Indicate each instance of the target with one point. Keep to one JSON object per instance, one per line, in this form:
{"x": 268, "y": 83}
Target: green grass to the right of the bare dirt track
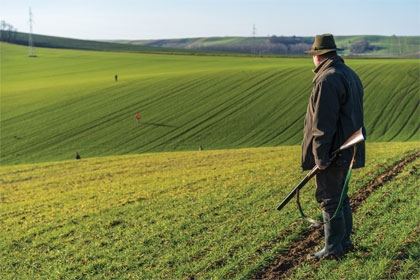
{"x": 386, "y": 235}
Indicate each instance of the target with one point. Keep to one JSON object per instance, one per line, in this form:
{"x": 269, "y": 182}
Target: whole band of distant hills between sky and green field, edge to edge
{"x": 357, "y": 45}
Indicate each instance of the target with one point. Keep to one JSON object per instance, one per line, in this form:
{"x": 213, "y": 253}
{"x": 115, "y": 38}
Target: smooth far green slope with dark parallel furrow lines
{"x": 65, "y": 101}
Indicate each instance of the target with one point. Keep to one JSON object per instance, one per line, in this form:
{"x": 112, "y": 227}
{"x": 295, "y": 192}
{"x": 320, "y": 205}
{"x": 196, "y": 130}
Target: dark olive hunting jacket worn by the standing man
{"x": 335, "y": 112}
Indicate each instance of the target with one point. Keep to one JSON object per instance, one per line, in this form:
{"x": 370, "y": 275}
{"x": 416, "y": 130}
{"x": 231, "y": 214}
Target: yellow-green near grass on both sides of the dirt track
{"x": 208, "y": 214}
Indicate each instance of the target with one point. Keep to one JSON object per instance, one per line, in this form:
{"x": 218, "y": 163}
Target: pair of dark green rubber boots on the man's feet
{"x": 333, "y": 233}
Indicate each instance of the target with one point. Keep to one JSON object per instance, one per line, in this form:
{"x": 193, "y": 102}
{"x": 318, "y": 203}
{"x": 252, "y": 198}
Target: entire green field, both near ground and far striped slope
{"x": 144, "y": 203}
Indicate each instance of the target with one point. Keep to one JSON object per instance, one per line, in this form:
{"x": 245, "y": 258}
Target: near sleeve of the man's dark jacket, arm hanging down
{"x": 326, "y": 104}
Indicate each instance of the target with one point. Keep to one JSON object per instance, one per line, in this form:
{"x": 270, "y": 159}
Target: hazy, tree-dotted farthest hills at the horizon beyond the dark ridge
{"x": 365, "y": 46}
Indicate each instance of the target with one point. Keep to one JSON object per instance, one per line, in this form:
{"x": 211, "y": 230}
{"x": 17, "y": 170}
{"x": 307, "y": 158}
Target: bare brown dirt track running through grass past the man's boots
{"x": 281, "y": 268}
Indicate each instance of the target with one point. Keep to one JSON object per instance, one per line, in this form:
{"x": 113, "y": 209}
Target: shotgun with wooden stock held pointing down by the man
{"x": 354, "y": 139}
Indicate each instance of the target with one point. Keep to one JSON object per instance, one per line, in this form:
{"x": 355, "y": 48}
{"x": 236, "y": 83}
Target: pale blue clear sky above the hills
{"x": 170, "y": 19}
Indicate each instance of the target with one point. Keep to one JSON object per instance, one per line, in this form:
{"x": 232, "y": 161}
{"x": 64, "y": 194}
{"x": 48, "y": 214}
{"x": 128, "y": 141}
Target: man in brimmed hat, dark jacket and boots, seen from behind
{"x": 335, "y": 111}
